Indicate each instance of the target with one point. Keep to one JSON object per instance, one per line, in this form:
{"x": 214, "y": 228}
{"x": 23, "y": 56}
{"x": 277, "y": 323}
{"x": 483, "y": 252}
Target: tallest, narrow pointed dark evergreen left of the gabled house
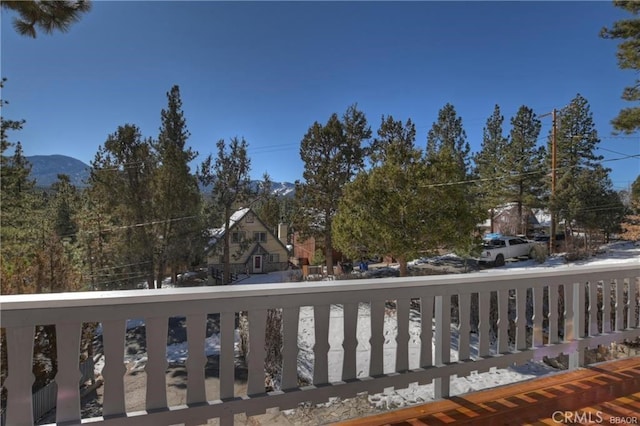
{"x": 178, "y": 228}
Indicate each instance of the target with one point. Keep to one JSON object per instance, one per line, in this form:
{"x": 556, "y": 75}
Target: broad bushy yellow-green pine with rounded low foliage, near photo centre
{"x": 384, "y": 210}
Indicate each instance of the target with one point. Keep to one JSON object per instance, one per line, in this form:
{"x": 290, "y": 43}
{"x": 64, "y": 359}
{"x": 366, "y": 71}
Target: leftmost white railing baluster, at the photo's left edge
{"x": 20, "y": 377}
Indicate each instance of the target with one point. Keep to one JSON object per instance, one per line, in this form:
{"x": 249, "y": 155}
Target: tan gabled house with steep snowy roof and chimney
{"x": 254, "y": 249}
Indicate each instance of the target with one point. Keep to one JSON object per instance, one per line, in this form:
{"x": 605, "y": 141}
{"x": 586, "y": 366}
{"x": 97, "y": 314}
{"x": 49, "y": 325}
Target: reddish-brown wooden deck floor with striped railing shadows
{"x": 605, "y": 393}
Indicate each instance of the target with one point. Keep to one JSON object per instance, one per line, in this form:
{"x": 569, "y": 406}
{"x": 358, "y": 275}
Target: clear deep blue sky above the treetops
{"x": 266, "y": 71}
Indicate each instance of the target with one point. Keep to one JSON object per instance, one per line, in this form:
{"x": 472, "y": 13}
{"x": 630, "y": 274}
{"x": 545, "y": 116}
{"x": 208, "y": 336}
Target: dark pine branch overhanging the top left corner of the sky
{"x": 46, "y": 16}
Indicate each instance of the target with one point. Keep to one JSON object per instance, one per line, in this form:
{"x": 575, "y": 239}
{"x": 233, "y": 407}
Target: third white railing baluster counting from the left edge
{"x": 114, "y": 368}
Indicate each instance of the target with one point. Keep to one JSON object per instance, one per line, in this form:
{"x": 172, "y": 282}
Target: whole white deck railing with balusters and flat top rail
{"x": 514, "y": 318}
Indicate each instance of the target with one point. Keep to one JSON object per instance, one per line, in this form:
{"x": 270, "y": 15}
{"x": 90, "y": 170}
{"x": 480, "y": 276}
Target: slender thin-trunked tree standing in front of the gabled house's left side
{"x": 228, "y": 176}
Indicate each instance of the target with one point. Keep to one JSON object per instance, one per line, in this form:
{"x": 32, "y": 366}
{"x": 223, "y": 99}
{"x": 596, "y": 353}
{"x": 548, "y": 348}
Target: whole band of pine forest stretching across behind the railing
{"x": 144, "y": 214}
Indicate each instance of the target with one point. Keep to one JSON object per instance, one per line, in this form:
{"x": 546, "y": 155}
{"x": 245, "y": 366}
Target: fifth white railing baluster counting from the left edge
{"x": 196, "y": 361}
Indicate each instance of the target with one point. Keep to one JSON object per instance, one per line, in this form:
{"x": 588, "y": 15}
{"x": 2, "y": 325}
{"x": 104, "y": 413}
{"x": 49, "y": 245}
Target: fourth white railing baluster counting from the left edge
{"x": 156, "y": 332}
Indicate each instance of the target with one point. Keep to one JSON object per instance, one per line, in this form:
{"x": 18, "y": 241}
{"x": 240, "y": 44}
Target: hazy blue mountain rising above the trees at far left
{"x": 46, "y": 168}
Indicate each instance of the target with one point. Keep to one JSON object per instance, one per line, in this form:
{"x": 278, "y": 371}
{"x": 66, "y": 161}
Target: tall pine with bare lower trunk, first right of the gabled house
{"x": 332, "y": 155}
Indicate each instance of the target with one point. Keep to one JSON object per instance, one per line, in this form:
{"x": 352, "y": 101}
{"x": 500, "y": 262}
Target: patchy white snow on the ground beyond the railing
{"x": 616, "y": 253}
